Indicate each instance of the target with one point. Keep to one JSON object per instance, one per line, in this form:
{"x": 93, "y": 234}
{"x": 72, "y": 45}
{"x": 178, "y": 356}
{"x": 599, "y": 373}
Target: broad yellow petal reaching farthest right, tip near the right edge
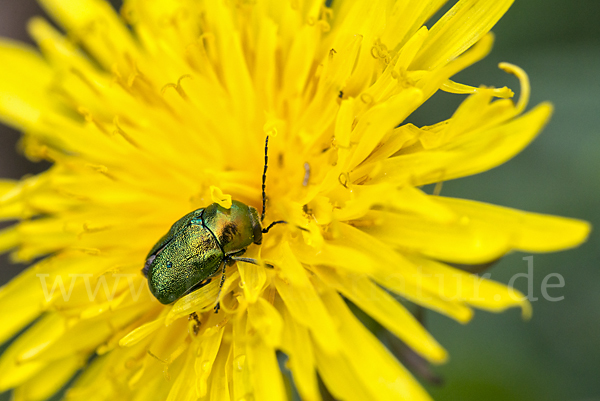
{"x": 481, "y": 232}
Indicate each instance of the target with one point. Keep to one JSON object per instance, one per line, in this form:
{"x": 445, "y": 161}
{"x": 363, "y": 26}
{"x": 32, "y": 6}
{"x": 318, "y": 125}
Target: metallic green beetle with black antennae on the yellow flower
{"x": 200, "y": 244}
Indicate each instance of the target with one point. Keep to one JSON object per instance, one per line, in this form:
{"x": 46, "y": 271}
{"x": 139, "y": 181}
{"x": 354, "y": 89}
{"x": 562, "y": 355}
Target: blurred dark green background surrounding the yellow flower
{"x": 556, "y": 355}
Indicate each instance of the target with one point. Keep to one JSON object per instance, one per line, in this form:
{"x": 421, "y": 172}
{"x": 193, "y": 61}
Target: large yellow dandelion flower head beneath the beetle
{"x": 164, "y": 109}
